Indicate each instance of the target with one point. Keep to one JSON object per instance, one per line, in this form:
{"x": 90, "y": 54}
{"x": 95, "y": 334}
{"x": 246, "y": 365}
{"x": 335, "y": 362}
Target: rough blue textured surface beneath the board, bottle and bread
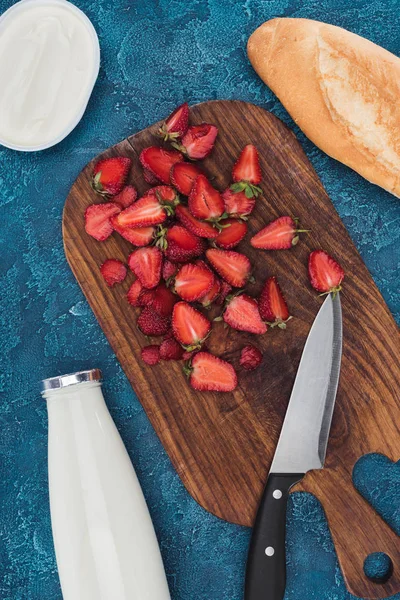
{"x": 155, "y": 55}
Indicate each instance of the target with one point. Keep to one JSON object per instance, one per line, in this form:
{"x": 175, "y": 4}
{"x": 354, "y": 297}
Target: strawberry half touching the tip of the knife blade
{"x": 326, "y": 275}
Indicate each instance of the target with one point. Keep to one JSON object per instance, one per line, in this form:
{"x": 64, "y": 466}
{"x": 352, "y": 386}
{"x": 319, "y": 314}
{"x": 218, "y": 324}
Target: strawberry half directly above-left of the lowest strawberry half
{"x": 190, "y": 326}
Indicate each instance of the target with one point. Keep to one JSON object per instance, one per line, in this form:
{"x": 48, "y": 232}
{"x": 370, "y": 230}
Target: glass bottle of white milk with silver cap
{"x": 105, "y": 543}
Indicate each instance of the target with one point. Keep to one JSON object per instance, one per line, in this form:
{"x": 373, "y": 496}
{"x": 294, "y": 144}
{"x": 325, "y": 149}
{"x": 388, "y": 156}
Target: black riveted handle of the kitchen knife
{"x": 266, "y": 561}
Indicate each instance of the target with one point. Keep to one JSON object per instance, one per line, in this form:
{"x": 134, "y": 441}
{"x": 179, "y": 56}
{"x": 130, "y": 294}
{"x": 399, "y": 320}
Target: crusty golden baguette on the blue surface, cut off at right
{"x": 341, "y": 89}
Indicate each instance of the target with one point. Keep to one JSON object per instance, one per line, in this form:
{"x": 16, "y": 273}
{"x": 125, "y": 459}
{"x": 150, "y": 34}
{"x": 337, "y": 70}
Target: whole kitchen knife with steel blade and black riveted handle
{"x": 301, "y": 448}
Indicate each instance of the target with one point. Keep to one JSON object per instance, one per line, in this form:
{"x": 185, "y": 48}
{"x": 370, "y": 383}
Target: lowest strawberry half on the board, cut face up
{"x": 210, "y": 373}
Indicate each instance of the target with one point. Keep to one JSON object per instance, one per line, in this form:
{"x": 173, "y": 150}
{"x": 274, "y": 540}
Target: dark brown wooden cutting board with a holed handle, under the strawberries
{"x": 222, "y": 444}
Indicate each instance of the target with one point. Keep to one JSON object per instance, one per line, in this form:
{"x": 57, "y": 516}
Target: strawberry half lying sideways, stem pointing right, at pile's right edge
{"x": 280, "y": 234}
